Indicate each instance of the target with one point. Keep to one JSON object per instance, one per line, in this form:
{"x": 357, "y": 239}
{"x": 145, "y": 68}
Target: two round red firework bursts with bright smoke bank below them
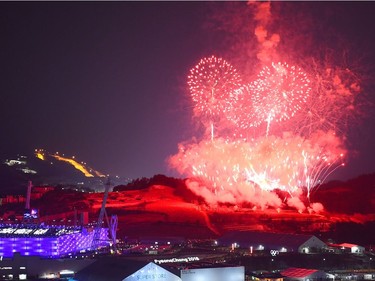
{"x": 231, "y": 168}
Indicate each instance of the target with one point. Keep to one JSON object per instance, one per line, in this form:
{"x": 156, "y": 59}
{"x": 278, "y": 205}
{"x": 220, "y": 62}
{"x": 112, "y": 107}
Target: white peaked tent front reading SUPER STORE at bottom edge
{"x": 152, "y": 272}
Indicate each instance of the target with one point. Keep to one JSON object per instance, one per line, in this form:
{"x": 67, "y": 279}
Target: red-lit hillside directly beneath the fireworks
{"x": 152, "y": 209}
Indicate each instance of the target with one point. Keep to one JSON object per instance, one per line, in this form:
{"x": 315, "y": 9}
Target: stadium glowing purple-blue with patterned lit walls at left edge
{"x": 49, "y": 241}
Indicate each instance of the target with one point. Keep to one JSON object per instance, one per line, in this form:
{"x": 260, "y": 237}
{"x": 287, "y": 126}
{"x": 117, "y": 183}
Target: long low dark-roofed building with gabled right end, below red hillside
{"x": 272, "y": 243}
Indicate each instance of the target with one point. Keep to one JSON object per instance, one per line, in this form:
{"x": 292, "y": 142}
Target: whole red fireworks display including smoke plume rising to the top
{"x": 282, "y": 131}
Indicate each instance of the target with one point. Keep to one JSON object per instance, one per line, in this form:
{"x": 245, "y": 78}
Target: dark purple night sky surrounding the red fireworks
{"x": 106, "y": 82}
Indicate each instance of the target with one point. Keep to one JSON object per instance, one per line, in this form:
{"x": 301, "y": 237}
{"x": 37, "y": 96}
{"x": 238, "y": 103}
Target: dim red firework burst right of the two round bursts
{"x": 333, "y": 105}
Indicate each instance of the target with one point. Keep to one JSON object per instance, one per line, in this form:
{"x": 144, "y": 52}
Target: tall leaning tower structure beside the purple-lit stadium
{"x": 112, "y": 225}
